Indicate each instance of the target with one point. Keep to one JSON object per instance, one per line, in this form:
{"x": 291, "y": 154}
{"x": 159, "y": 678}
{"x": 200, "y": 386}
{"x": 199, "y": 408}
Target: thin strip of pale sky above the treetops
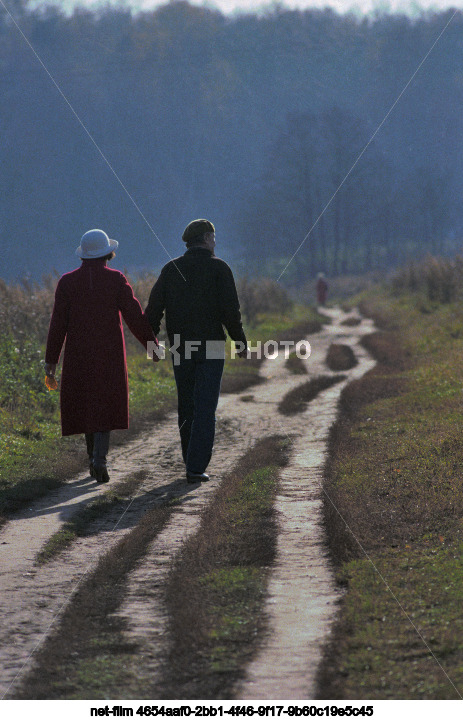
{"x": 358, "y": 7}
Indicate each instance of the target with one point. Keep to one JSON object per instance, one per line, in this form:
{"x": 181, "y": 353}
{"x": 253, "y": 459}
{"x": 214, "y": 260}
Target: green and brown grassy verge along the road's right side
{"x": 394, "y": 510}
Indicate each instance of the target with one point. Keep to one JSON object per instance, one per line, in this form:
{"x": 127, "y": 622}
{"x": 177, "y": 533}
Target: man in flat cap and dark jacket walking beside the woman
{"x": 198, "y": 295}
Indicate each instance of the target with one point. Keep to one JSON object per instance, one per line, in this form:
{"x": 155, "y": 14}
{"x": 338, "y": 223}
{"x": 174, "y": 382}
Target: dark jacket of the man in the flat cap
{"x": 197, "y": 292}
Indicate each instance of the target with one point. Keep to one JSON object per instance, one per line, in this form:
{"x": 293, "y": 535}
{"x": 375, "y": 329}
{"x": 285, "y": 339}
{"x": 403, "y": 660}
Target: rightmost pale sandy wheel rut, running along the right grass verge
{"x": 302, "y": 595}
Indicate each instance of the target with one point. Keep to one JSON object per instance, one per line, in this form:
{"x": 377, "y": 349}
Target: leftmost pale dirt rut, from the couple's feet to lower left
{"x": 33, "y": 597}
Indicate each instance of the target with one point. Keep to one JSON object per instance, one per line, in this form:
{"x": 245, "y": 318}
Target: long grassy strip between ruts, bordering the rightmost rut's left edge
{"x": 225, "y": 568}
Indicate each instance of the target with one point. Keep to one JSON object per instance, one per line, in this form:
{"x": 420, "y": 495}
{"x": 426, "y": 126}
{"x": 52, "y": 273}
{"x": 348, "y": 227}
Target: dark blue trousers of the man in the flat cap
{"x": 198, "y": 388}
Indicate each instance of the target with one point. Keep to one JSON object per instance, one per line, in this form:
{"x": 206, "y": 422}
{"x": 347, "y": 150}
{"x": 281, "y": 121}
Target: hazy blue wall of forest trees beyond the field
{"x": 254, "y": 121}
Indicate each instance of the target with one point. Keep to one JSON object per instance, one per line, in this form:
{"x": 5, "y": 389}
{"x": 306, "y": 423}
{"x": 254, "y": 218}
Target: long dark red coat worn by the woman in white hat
{"x": 87, "y": 313}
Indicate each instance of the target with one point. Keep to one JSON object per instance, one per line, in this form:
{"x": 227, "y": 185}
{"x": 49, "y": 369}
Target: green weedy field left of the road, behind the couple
{"x": 33, "y": 457}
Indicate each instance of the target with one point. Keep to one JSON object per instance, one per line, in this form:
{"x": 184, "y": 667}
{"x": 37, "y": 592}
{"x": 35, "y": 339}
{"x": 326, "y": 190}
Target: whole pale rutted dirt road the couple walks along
{"x": 302, "y": 595}
